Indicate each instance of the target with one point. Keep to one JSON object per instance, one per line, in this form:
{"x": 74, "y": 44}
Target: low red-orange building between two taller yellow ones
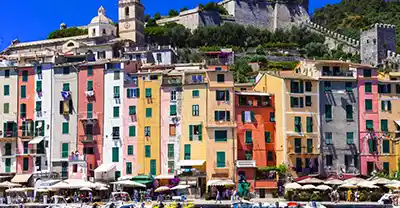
{"x": 255, "y": 118}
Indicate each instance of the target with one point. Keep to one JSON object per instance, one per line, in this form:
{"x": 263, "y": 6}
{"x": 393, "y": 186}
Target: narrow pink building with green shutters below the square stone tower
{"x": 368, "y": 119}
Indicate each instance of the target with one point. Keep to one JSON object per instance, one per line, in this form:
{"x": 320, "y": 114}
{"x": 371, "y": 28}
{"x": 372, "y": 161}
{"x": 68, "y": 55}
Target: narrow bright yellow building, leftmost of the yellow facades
{"x": 148, "y": 117}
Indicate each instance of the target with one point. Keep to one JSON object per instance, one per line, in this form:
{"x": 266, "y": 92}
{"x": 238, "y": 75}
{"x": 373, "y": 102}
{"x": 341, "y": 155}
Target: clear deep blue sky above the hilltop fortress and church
{"x": 29, "y": 20}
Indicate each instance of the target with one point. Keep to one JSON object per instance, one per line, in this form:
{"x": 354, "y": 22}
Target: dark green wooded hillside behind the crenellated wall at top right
{"x": 349, "y": 16}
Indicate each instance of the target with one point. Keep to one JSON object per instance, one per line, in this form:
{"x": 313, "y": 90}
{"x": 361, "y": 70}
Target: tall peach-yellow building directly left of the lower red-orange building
{"x": 221, "y": 142}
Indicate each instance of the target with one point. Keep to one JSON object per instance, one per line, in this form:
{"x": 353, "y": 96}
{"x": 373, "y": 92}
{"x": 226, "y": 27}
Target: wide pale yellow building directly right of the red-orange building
{"x": 297, "y": 118}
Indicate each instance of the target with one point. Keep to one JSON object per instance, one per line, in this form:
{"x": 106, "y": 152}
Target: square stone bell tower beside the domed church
{"x": 131, "y": 20}
